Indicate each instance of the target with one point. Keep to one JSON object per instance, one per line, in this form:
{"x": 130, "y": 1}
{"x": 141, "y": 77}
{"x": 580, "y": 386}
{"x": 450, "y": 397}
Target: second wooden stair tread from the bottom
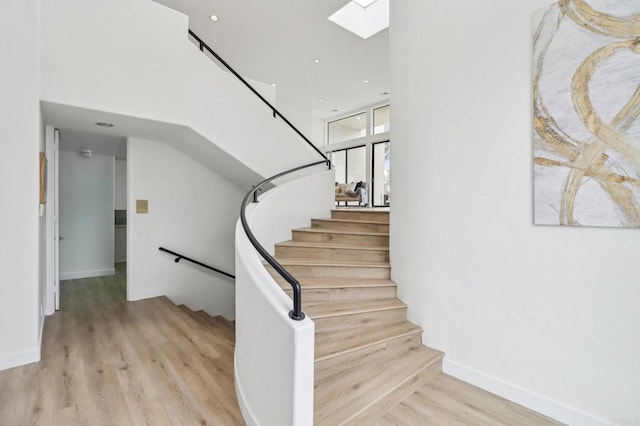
{"x": 334, "y": 343}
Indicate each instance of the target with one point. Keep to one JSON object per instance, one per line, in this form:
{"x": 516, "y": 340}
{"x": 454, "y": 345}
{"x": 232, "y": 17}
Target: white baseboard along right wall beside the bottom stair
{"x": 534, "y": 401}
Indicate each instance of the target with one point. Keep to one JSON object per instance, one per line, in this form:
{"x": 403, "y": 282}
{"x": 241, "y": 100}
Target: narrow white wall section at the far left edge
{"x": 19, "y": 137}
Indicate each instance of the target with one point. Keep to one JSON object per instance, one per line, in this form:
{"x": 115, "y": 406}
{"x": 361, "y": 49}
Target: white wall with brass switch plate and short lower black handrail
{"x": 192, "y": 211}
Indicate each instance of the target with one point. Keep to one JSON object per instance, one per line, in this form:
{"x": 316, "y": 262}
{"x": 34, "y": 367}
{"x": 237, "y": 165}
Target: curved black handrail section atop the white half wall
{"x": 251, "y": 196}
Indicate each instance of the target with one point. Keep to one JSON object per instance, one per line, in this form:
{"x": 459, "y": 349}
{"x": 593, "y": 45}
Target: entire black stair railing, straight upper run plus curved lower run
{"x": 252, "y": 196}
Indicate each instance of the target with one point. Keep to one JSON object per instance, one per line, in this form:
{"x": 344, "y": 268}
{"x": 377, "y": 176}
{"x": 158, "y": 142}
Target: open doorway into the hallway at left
{"x": 90, "y": 210}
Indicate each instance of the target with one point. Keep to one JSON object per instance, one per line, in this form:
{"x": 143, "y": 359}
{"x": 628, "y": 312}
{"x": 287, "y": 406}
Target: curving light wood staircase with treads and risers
{"x": 368, "y": 357}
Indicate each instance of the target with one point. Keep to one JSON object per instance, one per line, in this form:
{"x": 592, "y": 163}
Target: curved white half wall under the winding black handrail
{"x": 274, "y": 354}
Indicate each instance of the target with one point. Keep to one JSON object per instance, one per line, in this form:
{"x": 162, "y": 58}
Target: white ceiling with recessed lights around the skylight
{"x": 277, "y": 41}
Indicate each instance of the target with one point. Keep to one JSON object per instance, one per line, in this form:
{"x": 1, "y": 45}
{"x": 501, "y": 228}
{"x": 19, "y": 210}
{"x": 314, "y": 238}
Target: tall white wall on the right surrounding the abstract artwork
{"x": 546, "y": 316}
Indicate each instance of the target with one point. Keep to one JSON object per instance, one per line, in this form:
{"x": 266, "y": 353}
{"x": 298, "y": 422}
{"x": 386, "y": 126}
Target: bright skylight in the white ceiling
{"x": 363, "y": 17}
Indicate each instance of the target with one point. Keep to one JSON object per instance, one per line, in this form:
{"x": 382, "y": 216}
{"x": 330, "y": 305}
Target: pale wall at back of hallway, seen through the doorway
{"x": 86, "y": 215}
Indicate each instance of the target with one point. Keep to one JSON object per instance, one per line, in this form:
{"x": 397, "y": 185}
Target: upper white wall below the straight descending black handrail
{"x": 134, "y": 59}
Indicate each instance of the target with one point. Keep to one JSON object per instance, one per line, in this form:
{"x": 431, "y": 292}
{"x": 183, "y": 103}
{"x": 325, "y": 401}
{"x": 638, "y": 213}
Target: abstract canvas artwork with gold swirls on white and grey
{"x": 586, "y": 90}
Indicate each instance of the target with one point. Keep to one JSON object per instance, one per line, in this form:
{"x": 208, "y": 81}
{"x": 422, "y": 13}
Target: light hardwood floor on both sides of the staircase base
{"x": 109, "y": 362}
